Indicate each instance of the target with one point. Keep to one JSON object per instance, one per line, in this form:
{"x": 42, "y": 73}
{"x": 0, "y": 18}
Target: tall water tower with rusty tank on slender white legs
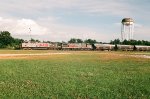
{"x": 127, "y": 29}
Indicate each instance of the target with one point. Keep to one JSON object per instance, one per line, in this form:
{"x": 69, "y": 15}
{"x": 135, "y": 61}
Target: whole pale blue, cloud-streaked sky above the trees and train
{"x": 60, "y": 20}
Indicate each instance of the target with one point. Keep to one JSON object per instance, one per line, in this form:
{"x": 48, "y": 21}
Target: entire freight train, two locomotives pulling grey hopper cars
{"x": 81, "y": 46}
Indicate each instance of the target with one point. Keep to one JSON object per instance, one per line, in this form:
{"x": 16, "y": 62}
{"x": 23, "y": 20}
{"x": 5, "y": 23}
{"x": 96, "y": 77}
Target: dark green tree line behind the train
{"x": 7, "y": 41}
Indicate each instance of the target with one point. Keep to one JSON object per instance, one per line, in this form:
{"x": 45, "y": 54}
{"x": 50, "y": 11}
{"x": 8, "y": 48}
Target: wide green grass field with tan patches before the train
{"x": 77, "y": 75}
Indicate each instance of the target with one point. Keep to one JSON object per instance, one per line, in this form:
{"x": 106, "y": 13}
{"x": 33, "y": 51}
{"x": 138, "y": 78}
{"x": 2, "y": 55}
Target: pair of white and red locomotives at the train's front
{"x": 55, "y": 46}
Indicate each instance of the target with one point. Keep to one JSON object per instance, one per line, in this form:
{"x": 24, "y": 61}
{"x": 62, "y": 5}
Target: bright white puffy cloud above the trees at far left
{"x": 21, "y": 27}
